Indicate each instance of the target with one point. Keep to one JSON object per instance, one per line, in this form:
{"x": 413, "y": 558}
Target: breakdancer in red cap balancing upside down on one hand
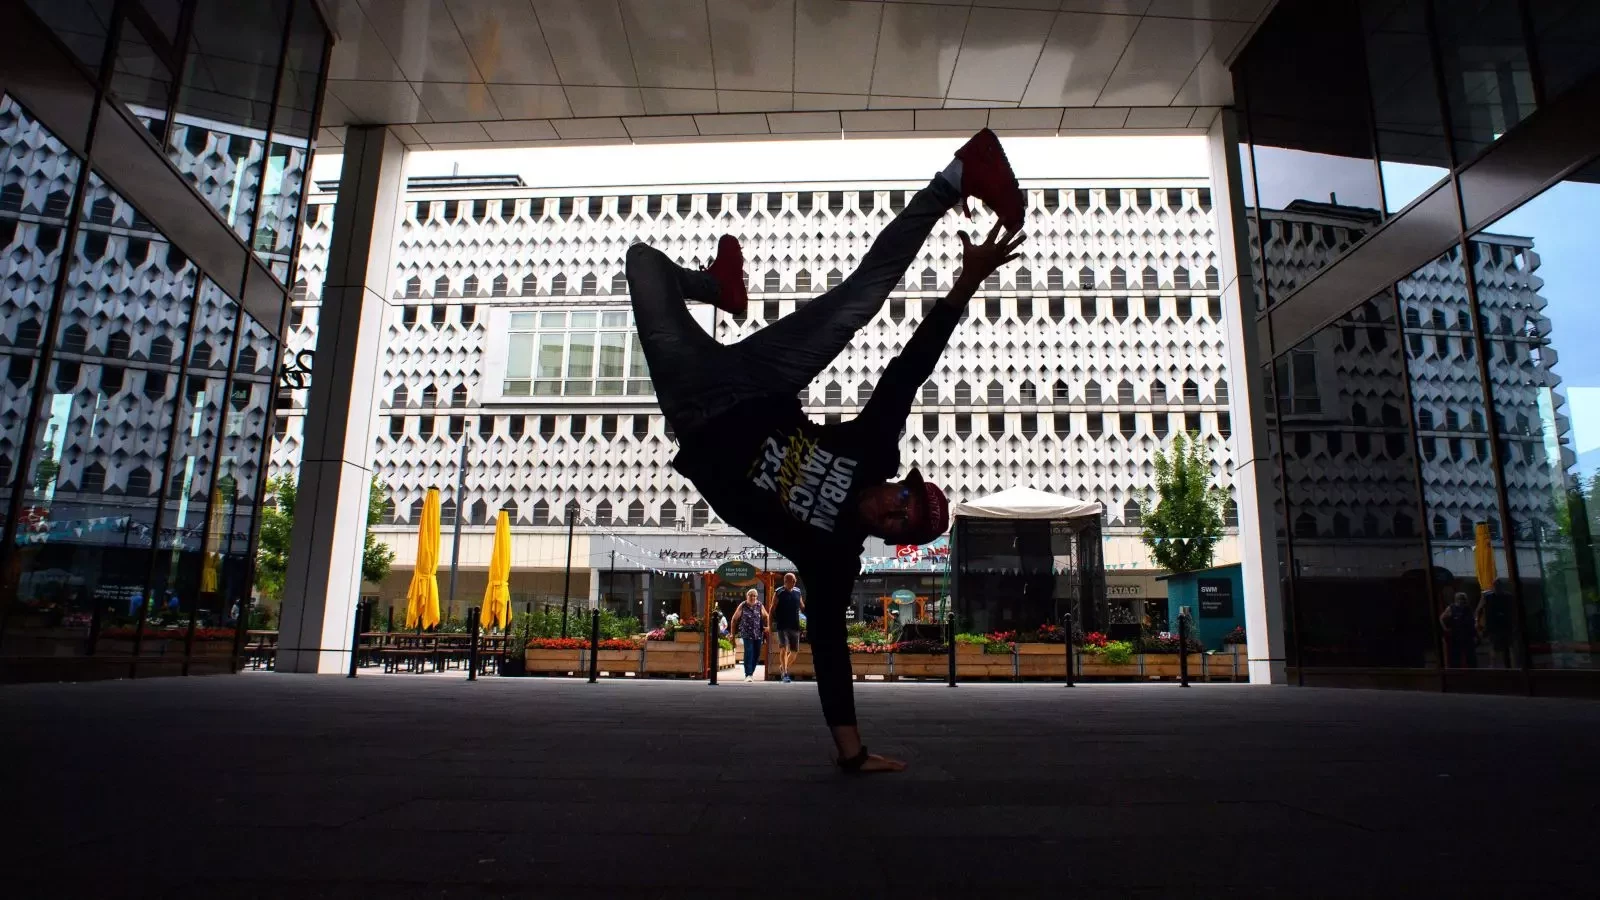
{"x": 814, "y": 492}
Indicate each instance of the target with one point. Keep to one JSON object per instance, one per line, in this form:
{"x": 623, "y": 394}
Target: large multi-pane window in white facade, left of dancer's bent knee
{"x": 575, "y": 353}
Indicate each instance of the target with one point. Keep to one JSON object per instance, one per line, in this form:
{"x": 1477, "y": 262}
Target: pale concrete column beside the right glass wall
{"x": 1255, "y": 472}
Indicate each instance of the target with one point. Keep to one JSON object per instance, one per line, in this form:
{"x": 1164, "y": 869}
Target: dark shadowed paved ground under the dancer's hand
{"x": 268, "y": 785}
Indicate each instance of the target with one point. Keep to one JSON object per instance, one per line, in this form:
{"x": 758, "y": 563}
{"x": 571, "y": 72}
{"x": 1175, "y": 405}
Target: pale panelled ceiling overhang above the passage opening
{"x": 455, "y": 74}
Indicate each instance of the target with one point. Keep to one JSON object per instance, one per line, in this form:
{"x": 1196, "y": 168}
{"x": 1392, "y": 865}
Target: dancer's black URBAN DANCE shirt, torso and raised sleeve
{"x": 793, "y": 484}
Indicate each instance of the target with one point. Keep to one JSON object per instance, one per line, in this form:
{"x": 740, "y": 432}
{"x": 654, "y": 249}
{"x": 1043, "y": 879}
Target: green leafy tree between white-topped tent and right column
{"x": 1185, "y": 523}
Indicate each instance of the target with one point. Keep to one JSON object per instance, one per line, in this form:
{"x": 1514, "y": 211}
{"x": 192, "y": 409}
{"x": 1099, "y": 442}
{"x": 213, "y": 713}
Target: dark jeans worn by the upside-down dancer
{"x": 697, "y": 377}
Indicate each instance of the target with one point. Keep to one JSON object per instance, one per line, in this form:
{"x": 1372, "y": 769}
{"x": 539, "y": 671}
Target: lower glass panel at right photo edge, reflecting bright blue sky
{"x": 1535, "y": 283}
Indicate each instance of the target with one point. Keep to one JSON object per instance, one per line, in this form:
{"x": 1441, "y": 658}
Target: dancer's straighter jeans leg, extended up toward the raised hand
{"x": 798, "y": 348}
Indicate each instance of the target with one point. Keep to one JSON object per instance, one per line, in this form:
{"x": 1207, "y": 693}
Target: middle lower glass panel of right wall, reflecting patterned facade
{"x": 1458, "y": 470}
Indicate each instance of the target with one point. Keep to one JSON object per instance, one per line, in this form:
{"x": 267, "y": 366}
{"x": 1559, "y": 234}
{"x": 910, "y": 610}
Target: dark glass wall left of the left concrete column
{"x": 137, "y": 384}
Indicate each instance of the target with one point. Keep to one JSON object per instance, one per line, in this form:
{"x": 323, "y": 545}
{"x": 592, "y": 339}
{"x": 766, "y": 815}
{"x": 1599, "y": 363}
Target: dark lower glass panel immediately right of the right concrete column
{"x": 1359, "y": 565}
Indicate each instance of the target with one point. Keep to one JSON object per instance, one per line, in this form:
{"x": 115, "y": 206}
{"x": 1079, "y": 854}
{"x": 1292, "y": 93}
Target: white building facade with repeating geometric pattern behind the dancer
{"x": 1071, "y": 369}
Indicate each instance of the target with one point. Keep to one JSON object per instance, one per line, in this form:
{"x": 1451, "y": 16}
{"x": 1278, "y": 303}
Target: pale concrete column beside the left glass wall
{"x": 324, "y": 576}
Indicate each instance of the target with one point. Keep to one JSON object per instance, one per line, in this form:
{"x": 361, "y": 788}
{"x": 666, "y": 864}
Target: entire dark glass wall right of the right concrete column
{"x": 1436, "y": 449}
